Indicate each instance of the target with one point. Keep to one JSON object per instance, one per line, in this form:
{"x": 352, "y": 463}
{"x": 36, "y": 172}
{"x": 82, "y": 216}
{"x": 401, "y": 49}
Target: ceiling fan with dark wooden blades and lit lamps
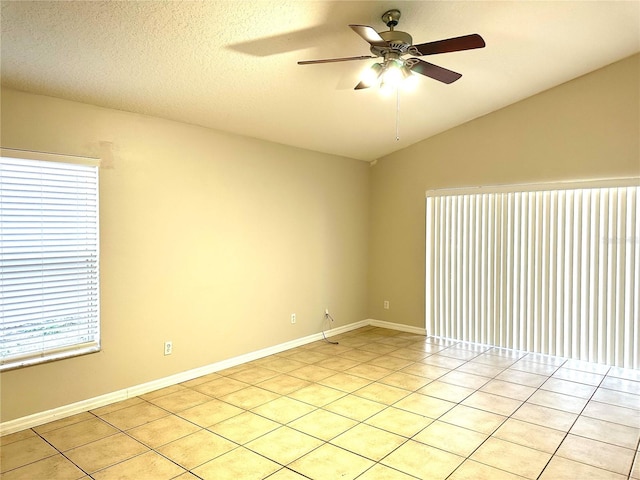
{"x": 391, "y": 46}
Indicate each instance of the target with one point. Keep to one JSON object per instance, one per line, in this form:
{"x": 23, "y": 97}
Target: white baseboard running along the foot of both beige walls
{"x": 47, "y": 416}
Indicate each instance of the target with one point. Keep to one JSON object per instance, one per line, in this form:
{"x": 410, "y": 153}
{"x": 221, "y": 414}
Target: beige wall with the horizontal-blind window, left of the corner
{"x": 207, "y": 239}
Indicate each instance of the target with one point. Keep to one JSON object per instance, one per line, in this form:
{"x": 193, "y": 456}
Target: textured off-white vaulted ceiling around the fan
{"x": 231, "y": 65}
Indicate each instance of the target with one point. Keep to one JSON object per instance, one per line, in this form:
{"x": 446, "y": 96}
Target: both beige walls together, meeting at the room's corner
{"x": 212, "y": 240}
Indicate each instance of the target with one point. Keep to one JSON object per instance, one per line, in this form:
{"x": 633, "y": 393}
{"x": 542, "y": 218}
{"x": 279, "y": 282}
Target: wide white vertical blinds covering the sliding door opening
{"x": 546, "y": 269}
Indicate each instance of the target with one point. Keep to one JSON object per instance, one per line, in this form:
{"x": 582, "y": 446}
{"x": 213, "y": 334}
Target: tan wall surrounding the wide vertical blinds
{"x": 585, "y": 129}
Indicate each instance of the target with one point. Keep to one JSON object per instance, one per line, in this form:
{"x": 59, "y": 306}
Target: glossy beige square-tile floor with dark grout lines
{"x": 381, "y": 405}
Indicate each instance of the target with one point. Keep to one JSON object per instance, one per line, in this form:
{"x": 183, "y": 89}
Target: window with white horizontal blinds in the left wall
{"x": 49, "y": 269}
